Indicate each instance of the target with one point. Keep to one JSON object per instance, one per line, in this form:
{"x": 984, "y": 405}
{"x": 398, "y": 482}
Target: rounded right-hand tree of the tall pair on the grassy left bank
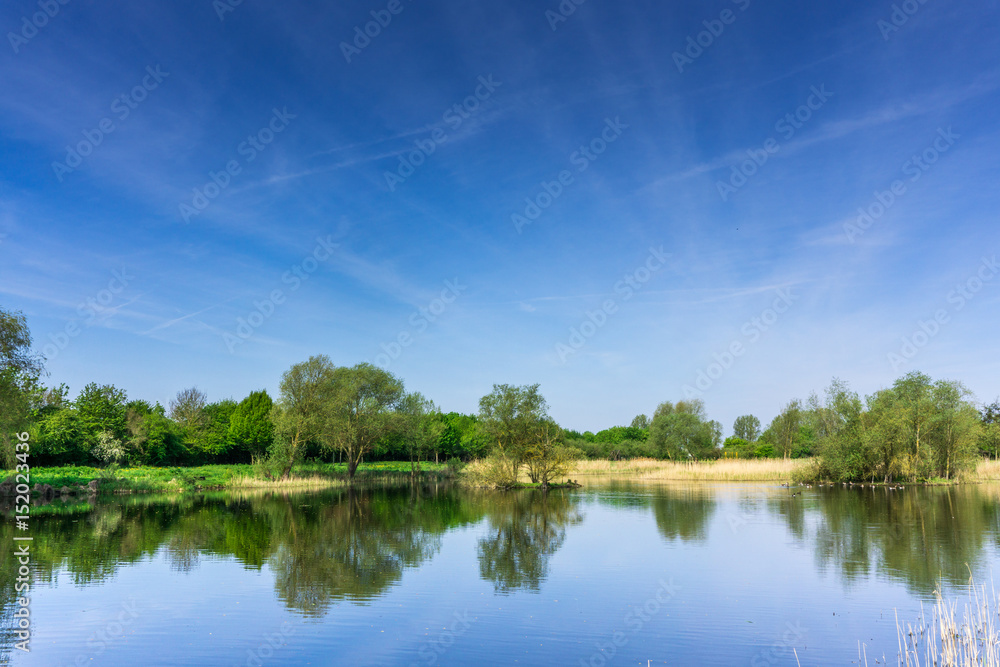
{"x": 361, "y": 410}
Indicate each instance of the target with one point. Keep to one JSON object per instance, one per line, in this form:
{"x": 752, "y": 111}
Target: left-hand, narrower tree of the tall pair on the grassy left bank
{"x": 300, "y": 413}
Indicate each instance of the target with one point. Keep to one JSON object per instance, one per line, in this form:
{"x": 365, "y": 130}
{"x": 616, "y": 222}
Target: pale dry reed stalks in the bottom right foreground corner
{"x": 949, "y": 642}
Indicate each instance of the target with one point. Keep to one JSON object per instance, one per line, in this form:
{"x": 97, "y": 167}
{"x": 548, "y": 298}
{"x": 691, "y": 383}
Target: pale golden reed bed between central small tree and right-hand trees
{"x": 725, "y": 470}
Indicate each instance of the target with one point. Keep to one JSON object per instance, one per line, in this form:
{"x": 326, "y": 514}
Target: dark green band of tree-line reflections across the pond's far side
{"x": 353, "y": 545}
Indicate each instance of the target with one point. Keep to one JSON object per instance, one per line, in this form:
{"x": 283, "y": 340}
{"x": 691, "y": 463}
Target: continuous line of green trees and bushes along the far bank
{"x": 917, "y": 429}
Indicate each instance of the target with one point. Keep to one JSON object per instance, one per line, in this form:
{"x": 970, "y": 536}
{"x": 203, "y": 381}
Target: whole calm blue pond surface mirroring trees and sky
{"x": 613, "y": 574}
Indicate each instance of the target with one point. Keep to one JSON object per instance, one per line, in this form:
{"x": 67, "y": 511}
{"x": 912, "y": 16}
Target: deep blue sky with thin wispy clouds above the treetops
{"x": 135, "y": 267}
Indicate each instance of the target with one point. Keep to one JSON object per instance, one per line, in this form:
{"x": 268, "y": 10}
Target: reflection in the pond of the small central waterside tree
{"x": 525, "y": 529}
